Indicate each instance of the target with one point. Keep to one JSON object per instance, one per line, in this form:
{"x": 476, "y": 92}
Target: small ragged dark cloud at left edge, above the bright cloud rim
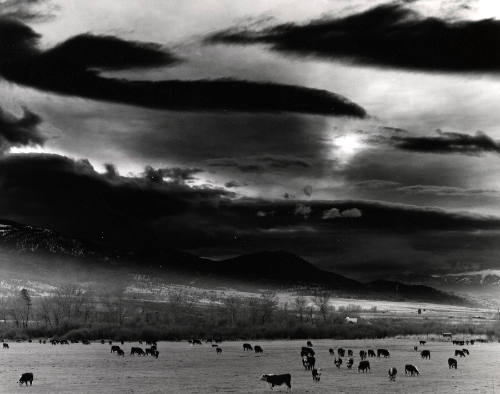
{"x": 20, "y": 131}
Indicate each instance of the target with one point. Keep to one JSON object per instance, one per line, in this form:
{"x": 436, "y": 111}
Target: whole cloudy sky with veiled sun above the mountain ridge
{"x": 362, "y": 135}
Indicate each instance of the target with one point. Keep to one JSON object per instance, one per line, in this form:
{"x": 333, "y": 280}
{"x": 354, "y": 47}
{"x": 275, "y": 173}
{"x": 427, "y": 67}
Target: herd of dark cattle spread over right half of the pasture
{"x": 307, "y": 355}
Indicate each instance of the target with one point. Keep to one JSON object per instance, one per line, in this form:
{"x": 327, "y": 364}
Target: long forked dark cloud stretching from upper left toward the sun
{"x": 70, "y": 68}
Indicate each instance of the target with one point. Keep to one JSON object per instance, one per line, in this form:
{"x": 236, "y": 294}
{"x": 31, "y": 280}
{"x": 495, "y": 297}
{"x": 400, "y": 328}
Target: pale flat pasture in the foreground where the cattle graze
{"x": 182, "y": 368}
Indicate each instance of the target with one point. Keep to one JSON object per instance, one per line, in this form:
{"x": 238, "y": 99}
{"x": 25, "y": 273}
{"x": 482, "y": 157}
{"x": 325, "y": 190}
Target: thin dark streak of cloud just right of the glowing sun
{"x": 448, "y": 142}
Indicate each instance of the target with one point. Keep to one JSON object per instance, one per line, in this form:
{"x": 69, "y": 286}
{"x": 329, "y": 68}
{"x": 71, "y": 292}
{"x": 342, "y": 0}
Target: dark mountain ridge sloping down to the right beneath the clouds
{"x": 44, "y": 251}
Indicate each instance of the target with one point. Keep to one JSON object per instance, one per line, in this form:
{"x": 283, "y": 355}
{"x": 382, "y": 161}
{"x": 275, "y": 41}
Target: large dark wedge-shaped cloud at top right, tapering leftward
{"x": 388, "y": 35}
